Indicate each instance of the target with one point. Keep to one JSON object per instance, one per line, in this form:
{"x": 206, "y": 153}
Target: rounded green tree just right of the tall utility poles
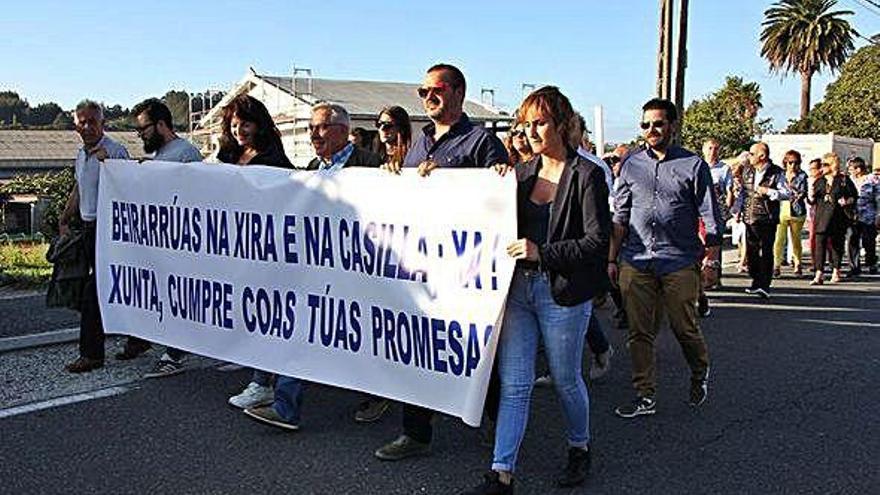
{"x": 730, "y": 115}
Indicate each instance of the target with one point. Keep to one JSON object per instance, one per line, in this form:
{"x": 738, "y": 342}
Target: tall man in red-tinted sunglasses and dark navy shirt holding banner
{"x": 449, "y": 141}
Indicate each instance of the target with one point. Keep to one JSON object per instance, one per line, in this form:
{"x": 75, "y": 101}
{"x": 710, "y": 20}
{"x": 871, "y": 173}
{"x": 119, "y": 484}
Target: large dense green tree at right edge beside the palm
{"x": 852, "y": 103}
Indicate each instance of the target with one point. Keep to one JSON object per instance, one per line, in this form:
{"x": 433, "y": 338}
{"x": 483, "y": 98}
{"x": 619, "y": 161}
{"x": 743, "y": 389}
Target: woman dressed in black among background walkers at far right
{"x": 834, "y": 195}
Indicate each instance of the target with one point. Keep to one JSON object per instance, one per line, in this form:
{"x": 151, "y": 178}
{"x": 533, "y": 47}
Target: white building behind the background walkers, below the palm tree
{"x": 815, "y": 145}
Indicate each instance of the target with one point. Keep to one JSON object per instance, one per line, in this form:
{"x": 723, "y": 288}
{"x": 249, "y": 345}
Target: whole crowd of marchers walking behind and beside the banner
{"x": 642, "y": 225}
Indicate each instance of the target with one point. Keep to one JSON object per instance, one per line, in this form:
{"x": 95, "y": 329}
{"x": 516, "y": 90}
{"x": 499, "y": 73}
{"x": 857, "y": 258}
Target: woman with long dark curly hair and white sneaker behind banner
{"x": 250, "y": 137}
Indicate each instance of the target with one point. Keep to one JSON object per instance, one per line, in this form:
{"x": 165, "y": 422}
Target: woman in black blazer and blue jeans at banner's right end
{"x": 564, "y": 225}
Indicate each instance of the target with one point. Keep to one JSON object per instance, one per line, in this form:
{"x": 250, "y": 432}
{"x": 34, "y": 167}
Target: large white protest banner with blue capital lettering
{"x": 391, "y": 285}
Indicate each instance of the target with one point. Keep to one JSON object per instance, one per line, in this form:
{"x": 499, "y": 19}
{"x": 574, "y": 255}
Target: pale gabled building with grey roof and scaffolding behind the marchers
{"x": 289, "y": 100}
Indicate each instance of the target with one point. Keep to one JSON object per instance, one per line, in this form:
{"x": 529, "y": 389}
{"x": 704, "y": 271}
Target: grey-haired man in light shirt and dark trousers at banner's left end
{"x": 89, "y": 121}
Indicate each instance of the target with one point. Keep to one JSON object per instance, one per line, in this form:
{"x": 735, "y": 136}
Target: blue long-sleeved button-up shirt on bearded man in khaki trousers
{"x": 661, "y": 202}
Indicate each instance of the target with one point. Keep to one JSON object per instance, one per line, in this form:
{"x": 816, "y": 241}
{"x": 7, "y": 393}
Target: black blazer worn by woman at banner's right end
{"x": 575, "y": 255}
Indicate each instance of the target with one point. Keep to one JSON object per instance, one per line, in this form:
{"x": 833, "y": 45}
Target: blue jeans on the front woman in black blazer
{"x": 532, "y": 315}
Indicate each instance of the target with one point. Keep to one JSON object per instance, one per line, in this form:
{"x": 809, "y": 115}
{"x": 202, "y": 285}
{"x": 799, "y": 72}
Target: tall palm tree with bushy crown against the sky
{"x": 803, "y": 36}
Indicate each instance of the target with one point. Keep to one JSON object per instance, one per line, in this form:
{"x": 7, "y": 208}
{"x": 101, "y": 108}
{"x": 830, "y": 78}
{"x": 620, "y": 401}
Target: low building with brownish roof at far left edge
{"x": 31, "y": 152}
